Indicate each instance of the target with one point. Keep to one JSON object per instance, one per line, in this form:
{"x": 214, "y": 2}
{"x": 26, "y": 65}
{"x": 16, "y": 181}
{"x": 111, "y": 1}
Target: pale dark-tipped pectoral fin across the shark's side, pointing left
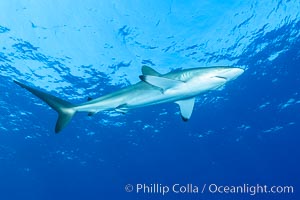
{"x": 161, "y": 82}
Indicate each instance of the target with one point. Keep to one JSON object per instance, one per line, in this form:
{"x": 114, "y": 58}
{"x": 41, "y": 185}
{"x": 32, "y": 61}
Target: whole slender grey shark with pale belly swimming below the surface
{"x": 180, "y": 87}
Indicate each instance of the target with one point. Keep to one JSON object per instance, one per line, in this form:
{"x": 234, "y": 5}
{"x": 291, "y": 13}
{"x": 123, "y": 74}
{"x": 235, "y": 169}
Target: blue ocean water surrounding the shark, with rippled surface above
{"x": 244, "y": 133}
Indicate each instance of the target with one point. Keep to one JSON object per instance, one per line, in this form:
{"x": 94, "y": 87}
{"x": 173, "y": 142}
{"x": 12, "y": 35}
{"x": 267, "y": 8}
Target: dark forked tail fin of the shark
{"x": 65, "y": 109}
